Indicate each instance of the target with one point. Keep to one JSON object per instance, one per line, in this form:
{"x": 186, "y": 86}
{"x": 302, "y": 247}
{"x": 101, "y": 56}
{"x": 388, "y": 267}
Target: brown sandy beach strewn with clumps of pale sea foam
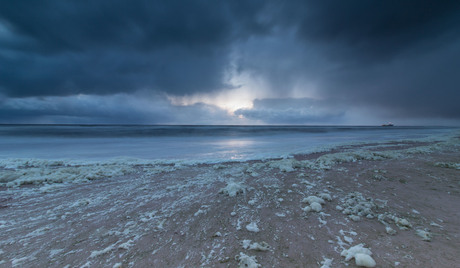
{"x": 404, "y": 193}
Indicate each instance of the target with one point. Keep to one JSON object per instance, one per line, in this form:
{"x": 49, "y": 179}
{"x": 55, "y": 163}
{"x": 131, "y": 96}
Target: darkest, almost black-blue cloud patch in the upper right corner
{"x": 378, "y": 30}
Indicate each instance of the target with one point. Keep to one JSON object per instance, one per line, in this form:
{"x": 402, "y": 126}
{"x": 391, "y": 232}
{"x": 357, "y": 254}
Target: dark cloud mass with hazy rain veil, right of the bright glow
{"x": 397, "y": 56}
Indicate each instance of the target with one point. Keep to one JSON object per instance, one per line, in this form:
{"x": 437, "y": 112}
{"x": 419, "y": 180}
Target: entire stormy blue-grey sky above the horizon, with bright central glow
{"x": 329, "y": 62}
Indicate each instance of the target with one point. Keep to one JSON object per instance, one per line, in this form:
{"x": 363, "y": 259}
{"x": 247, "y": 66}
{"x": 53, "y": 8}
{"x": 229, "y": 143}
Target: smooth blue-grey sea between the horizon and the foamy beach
{"x": 199, "y": 143}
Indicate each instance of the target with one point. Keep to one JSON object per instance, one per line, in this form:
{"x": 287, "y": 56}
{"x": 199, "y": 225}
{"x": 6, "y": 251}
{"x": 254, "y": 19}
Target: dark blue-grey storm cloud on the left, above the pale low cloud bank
{"x": 102, "y": 47}
